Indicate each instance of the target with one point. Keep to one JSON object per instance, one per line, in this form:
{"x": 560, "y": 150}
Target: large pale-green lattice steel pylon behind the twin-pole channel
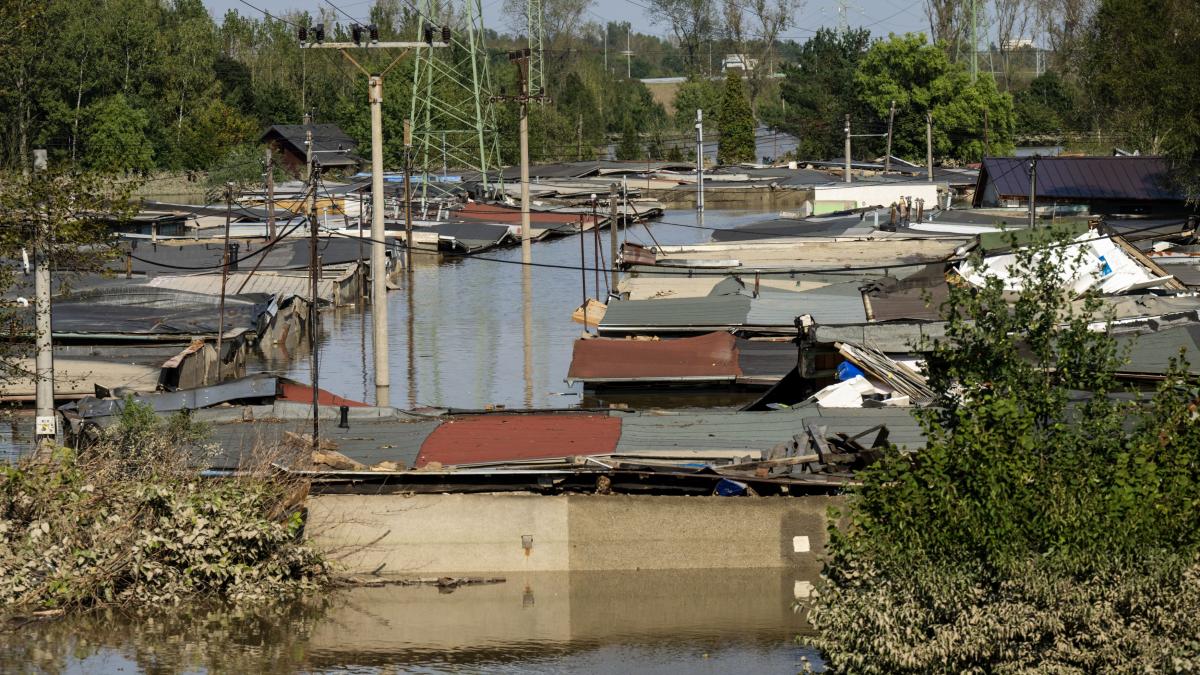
{"x": 454, "y": 120}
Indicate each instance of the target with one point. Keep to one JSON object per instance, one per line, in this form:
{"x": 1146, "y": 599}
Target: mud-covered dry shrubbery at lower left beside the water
{"x": 130, "y": 523}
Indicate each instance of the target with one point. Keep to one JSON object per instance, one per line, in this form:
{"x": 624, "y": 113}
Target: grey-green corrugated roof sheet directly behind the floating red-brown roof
{"x": 675, "y": 315}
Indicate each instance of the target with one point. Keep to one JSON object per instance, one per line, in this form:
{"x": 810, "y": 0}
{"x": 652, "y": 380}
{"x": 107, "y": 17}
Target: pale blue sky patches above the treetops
{"x": 879, "y": 16}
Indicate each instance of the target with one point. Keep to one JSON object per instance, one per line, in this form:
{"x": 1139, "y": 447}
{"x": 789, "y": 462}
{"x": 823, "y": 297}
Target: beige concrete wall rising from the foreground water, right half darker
{"x": 433, "y": 535}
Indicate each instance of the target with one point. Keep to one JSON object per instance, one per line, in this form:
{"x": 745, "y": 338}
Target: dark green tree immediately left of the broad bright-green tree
{"x": 819, "y": 89}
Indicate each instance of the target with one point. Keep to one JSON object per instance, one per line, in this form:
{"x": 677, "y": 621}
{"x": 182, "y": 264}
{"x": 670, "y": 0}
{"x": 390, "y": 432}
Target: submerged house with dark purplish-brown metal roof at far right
{"x": 1106, "y": 186}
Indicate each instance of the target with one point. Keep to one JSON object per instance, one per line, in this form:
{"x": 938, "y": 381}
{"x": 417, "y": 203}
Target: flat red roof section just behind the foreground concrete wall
{"x": 497, "y": 438}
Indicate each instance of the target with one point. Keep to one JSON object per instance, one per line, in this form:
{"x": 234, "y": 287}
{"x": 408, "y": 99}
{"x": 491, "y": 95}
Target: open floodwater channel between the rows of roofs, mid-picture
{"x": 459, "y": 333}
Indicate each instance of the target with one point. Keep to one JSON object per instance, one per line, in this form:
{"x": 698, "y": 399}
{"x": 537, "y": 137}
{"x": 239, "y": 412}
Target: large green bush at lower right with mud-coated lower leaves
{"x": 1041, "y": 529}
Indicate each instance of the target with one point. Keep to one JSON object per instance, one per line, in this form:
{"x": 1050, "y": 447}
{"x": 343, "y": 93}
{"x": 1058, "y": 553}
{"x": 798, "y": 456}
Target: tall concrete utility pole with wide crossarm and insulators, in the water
{"x": 379, "y": 244}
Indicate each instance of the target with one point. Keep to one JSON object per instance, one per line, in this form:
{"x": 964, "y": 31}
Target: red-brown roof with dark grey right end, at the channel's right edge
{"x": 712, "y": 359}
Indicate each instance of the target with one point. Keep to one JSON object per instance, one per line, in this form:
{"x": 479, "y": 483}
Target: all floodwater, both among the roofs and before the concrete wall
{"x": 460, "y": 338}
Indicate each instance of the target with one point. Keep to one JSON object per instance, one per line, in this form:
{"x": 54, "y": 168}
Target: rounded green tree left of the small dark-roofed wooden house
{"x": 116, "y": 141}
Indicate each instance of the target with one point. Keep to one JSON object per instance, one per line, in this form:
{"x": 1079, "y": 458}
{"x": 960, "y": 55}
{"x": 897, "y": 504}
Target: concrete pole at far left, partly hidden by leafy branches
{"x": 47, "y": 426}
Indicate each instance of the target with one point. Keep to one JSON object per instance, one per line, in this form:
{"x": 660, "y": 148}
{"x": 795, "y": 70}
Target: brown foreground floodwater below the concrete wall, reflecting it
{"x": 595, "y": 623}
